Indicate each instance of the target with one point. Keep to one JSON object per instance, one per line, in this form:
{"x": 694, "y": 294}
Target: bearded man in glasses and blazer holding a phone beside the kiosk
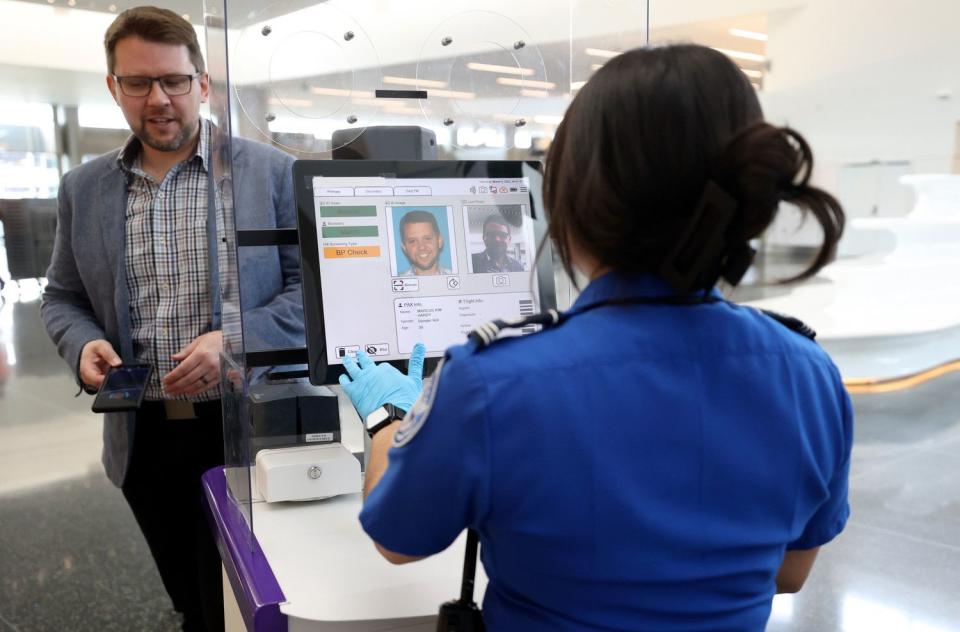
{"x": 134, "y": 279}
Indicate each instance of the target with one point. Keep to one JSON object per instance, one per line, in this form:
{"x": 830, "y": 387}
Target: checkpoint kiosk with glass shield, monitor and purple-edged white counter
{"x": 486, "y": 83}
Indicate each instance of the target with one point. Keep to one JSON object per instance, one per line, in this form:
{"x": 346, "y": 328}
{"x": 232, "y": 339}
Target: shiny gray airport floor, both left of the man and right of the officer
{"x": 71, "y": 557}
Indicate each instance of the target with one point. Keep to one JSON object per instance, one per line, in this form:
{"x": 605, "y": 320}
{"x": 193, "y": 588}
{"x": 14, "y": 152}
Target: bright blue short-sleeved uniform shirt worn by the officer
{"x": 638, "y": 467}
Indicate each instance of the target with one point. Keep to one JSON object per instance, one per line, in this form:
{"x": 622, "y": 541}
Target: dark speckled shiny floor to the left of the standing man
{"x": 71, "y": 556}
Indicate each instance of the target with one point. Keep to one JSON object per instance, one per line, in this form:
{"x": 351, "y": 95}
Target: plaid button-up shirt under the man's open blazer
{"x": 166, "y": 260}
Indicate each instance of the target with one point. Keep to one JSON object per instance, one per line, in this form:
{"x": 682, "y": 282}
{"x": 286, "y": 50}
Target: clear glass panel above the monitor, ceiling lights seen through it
{"x": 480, "y": 75}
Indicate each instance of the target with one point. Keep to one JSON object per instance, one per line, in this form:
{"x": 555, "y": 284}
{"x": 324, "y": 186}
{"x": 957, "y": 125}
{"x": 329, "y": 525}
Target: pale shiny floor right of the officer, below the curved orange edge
{"x": 896, "y": 567}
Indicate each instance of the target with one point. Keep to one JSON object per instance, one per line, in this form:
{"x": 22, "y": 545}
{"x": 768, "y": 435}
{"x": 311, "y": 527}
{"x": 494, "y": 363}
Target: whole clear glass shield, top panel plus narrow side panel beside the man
{"x": 491, "y": 80}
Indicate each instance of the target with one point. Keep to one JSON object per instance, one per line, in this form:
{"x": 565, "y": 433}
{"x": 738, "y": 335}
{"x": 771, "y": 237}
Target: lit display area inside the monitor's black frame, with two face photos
{"x": 408, "y": 260}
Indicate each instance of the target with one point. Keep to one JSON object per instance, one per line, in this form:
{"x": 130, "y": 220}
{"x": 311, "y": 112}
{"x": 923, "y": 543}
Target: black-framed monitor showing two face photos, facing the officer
{"x": 394, "y": 253}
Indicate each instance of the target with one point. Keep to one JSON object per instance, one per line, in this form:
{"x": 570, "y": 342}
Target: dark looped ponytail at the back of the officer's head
{"x": 763, "y": 165}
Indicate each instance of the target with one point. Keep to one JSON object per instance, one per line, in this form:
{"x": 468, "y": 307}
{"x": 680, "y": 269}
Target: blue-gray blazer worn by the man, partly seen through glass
{"x": 86, "y": 296}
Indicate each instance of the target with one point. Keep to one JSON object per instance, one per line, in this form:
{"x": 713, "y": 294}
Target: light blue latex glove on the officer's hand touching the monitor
{"x": 370, "y": 386}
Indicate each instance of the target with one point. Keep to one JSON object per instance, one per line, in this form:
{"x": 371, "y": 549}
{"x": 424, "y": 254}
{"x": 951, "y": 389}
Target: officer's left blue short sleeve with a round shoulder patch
{"x": 435, "y": 484}
